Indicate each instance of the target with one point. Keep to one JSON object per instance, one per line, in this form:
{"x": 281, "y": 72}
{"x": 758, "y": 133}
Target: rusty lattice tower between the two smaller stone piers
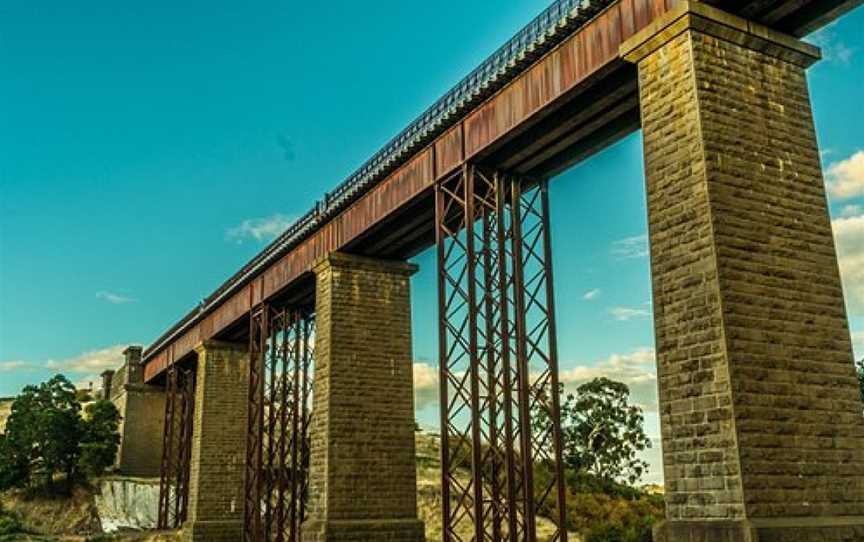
{"x": 279, "y": 415}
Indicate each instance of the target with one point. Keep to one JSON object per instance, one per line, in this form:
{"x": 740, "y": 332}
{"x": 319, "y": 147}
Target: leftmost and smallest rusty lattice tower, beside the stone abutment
{"x": 176, "y": 447}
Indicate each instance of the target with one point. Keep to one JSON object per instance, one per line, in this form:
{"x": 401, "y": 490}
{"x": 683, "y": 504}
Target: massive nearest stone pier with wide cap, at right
{"x": 763, "y": 433}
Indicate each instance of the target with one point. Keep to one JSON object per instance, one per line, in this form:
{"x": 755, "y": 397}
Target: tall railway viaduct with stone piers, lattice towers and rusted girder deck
{"x": 287, "y": 392}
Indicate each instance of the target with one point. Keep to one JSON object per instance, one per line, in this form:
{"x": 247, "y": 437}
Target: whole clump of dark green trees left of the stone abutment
{"x": 47, "y": 440}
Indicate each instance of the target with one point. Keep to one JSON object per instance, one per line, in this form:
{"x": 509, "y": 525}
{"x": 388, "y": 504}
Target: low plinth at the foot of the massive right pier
{"x": 821, "y": 529}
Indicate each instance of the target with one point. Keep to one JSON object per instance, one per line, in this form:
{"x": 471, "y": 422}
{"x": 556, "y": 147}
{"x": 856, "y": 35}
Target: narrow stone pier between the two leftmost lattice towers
{"x": 218, "y": 443}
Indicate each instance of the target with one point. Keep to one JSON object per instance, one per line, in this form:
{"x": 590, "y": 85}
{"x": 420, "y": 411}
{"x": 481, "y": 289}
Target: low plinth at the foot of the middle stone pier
{"x": 394, "y": 530}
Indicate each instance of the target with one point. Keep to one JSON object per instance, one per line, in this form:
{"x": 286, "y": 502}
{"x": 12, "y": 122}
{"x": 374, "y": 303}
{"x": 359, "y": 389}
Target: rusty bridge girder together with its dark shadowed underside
{"x": 569, "y": 105}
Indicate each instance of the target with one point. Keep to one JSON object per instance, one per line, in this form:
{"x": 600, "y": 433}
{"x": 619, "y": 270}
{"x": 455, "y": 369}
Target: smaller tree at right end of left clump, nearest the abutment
{"x": 99, "y": 437}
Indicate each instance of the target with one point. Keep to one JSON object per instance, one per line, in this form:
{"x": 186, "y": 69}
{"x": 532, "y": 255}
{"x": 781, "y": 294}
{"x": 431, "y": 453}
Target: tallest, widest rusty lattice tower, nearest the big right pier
{"x": 498, "y": 358}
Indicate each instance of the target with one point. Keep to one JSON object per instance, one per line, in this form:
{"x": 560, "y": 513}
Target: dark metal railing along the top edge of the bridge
{"x": 537, "y": 37}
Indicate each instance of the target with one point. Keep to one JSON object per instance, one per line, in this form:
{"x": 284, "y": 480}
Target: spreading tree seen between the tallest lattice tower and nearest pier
{"x": 602, "y": 432}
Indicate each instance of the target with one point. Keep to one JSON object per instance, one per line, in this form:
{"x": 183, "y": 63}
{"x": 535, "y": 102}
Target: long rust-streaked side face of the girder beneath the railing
{"x": 552, "y": 76}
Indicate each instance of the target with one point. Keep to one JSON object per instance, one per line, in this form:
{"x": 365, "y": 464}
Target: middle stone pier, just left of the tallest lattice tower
{"x": 363, "y": 474}
